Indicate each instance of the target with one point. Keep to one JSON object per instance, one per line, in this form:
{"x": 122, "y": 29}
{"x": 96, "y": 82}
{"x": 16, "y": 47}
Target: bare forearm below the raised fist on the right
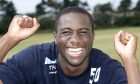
{"x": 132, "y": 70}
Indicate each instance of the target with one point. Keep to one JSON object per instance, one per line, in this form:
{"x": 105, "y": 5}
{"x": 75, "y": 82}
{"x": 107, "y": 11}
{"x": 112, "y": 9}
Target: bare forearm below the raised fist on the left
{"x": 6, "y": 44}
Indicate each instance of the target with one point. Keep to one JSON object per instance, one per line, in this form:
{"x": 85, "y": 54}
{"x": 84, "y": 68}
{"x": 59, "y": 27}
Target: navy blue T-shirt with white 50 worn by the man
{"x": 38, "y": 64}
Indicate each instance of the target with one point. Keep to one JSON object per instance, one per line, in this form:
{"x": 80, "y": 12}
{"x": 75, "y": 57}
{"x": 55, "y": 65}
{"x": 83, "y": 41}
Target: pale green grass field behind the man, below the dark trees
{"x": 103, "y": 40}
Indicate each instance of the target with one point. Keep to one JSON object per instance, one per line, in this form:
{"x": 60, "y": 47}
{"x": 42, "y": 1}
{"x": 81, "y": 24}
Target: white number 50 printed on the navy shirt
{"x": 94, "y": 75}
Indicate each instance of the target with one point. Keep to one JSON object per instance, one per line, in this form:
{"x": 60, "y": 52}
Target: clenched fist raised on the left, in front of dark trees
{"x": 22, "y": 27}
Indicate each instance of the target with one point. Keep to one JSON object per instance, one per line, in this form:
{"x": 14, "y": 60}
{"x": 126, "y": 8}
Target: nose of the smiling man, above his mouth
{"x": 75, "y": 39}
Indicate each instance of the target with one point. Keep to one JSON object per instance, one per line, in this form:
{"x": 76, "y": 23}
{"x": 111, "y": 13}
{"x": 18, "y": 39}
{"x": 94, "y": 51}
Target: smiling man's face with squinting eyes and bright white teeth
{"x": 74, "y": 38}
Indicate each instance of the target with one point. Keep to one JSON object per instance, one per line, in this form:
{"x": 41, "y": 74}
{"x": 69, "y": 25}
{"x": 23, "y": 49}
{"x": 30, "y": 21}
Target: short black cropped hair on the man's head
{"x": 73, "y": 9}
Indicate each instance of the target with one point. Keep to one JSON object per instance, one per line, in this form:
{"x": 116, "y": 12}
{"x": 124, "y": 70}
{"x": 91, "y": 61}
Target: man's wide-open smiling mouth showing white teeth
{"x": 74, "y": 51}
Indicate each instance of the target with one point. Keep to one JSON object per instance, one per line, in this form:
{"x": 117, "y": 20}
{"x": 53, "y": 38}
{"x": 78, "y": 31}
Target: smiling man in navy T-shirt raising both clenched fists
{"x": 69, "y": 60}
